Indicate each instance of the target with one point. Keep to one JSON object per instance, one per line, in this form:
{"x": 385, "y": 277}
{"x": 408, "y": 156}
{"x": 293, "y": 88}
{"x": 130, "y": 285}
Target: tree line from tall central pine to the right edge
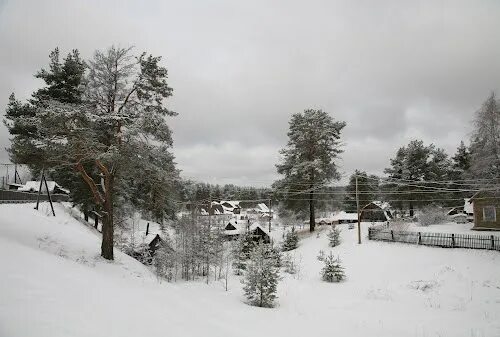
{"x": 417, "y": 175}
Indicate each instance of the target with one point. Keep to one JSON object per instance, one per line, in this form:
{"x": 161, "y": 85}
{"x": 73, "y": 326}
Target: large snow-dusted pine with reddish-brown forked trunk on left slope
{"x": 116, "y": 137}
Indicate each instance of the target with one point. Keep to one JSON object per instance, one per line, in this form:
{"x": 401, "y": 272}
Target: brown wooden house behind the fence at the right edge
{"x": 486, "y": 205}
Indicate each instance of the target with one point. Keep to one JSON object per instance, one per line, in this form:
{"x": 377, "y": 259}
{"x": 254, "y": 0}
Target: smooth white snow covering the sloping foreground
{"x": 53, "y": 283}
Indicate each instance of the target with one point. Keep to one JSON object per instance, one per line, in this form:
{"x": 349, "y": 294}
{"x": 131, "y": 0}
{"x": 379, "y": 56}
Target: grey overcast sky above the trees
{"x": 394, "y": 71}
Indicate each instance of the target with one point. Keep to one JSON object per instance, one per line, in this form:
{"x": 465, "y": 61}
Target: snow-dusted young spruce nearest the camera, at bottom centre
{"x": 261, "y": 277}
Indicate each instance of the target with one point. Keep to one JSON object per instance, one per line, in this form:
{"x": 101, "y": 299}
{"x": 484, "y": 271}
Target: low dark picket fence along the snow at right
{"x": 445, "y": 240}
